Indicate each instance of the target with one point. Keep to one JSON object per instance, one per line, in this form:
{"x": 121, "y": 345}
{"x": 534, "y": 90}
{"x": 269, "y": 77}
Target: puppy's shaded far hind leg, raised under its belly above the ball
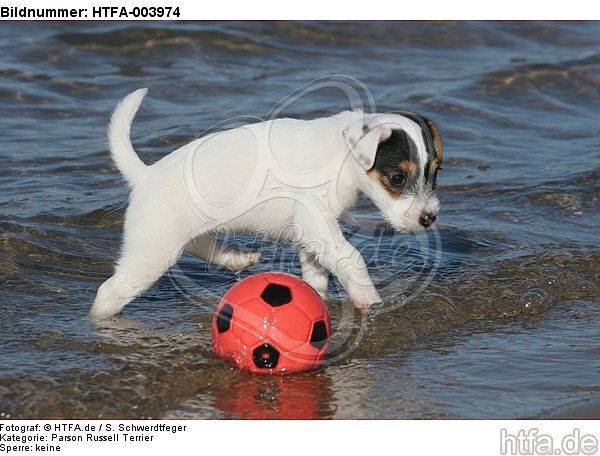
{"x": 208, "y": 249}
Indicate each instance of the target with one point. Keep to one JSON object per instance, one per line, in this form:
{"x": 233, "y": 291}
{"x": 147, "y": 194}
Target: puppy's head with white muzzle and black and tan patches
{"x": 400, "y": 155}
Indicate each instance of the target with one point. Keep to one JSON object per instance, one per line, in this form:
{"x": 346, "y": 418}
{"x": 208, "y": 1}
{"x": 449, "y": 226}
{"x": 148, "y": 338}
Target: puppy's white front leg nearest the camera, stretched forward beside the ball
{"x": 324, "y": 239}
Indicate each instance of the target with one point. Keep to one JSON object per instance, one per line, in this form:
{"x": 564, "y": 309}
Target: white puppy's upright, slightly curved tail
{"x": 119, "y": 142}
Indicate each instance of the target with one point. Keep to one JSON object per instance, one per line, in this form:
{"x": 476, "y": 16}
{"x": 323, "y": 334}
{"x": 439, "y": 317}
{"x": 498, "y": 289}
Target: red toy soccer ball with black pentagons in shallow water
{"x": 272, "y": 323}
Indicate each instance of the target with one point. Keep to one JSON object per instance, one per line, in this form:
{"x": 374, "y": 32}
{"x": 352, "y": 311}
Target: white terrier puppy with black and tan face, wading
{"x": 289, "y": 179}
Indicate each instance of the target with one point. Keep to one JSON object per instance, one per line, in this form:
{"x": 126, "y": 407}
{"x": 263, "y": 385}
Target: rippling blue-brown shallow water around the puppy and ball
{"x": 506, "y": 322}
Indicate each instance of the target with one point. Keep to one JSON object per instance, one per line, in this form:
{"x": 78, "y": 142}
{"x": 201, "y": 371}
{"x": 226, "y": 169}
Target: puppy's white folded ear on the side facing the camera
{"x": 363, "y": 140}
